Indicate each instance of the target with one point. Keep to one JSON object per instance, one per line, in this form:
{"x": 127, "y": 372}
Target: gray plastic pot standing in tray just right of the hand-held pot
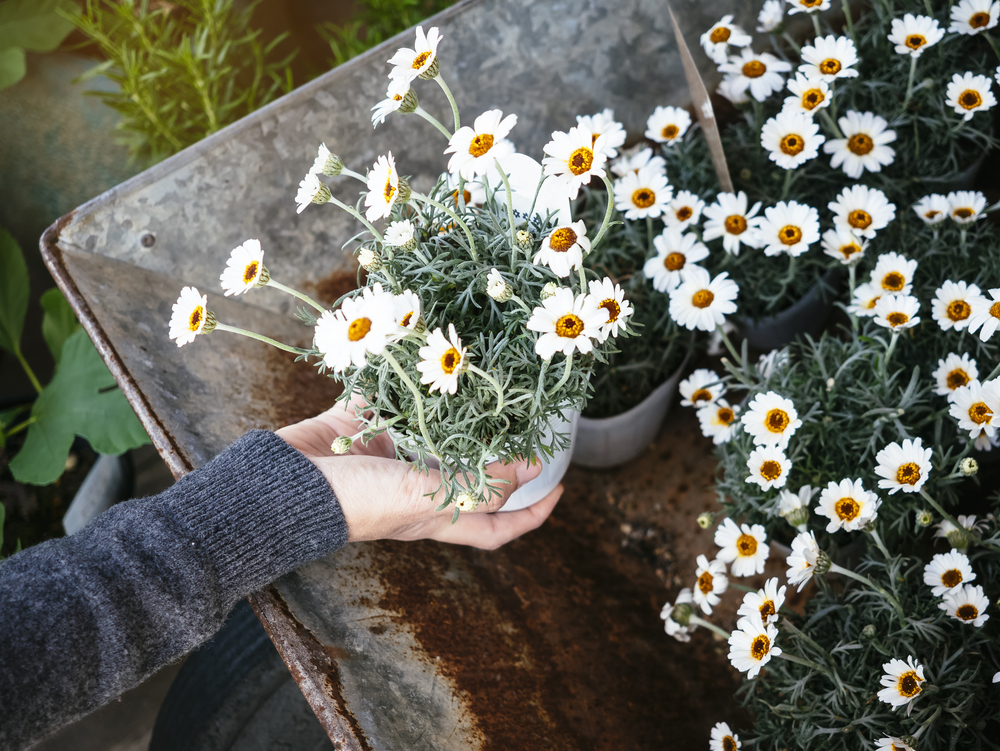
{"x": 609, "y": 441}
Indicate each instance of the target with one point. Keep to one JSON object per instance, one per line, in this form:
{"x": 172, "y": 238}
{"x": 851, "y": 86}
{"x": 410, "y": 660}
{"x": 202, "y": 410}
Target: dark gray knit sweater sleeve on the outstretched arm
{"x": 86, "y": 617}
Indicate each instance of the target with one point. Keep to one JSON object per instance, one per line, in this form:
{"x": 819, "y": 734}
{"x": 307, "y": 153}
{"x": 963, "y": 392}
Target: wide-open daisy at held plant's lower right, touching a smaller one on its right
{"x": 567, "y": 324}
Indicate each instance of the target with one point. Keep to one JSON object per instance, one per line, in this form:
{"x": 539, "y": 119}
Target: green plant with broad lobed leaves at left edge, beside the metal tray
{"x": 82, "y": 398}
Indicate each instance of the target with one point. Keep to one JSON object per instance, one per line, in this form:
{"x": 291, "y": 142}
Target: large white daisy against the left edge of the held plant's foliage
{"x": 360, "y": 326}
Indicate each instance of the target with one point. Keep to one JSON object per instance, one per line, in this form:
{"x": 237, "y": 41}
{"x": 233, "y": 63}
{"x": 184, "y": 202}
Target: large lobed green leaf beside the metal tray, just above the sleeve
{"x": 82, "y": 399}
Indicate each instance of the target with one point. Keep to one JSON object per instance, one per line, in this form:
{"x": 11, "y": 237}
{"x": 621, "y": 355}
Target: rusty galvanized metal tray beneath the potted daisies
{"x": 552, "y": 642}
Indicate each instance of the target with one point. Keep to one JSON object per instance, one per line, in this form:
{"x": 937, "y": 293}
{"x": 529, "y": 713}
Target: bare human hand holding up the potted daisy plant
{"x": 384, "y": 498}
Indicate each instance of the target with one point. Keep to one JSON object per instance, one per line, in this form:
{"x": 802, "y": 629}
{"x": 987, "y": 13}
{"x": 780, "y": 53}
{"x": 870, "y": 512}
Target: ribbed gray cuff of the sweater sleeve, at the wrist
{"x": 260, "y": 509}
